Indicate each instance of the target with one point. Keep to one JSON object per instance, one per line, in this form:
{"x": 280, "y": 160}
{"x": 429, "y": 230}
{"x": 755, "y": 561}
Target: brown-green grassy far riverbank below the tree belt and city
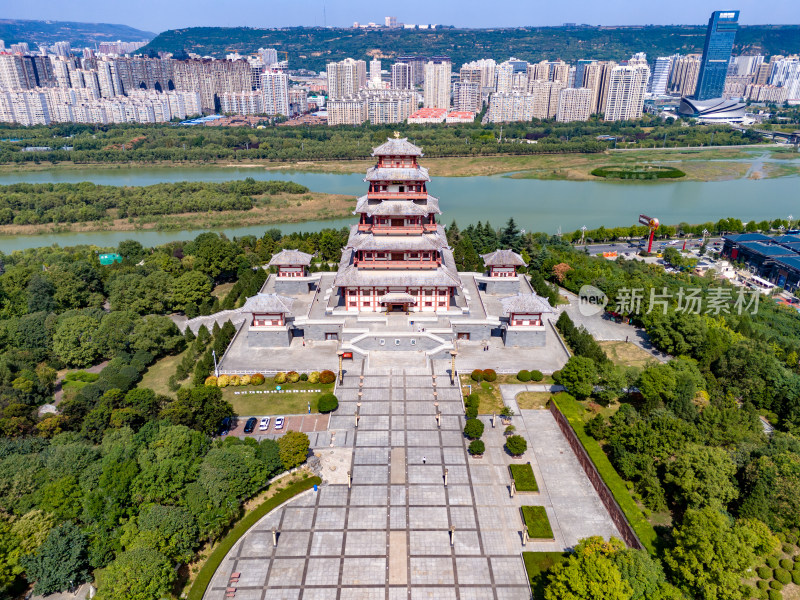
{"x": 700, "y": 164}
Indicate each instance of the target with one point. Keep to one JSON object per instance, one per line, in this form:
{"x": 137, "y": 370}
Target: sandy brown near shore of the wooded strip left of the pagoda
{"x": 281, "y": 209}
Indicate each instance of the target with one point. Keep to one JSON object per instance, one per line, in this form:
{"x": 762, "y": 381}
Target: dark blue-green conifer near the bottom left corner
{"x": 60, "y": 562}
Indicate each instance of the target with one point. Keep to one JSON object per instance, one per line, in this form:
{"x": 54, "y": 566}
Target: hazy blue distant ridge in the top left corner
{"x": 77, "y": 34}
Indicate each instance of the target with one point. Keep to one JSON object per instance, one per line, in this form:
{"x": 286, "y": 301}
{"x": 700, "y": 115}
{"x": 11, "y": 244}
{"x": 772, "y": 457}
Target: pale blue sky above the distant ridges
{"x": 158, "y": 15}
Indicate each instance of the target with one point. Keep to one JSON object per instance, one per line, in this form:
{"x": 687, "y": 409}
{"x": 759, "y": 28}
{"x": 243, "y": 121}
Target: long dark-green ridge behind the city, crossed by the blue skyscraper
{"x": 312, "y": 47}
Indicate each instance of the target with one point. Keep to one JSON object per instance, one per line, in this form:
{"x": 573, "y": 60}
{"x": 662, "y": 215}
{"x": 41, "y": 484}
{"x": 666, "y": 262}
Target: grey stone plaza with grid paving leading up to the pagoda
{"x": 388, "y": 536}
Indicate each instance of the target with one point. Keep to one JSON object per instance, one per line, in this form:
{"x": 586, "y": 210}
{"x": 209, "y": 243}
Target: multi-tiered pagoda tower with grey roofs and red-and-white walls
{"x": 397, "y": 257}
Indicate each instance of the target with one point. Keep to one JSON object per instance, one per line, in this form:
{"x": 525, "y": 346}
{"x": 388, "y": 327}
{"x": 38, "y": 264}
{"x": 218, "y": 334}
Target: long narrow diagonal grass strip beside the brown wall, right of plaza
{"x": 574, "y": 412}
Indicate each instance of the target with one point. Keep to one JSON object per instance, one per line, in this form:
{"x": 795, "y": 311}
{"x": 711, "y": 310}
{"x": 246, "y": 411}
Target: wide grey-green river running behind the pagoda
{"x": 536, "y": 205}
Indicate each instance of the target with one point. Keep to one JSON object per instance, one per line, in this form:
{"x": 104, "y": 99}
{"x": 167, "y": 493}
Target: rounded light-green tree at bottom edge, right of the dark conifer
{"x": 137, "y": 574}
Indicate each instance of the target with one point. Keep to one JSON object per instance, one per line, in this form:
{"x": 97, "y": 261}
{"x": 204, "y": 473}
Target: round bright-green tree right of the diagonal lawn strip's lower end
{"x": 701, "y": 476}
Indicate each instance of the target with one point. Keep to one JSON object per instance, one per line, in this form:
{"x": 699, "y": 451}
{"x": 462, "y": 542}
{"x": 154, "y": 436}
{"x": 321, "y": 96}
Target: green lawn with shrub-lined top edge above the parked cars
{"x": 275, "y": 404}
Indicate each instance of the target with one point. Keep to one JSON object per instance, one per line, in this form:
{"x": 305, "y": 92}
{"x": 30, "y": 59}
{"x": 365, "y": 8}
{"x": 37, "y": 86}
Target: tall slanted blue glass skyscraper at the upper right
{"x": 722, "y": 27}
